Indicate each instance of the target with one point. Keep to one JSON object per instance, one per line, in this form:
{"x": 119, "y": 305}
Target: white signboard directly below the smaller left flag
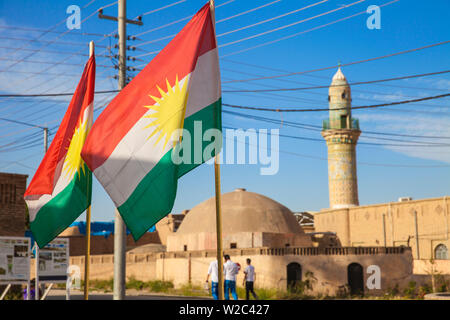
{"x": 54, "y": 261}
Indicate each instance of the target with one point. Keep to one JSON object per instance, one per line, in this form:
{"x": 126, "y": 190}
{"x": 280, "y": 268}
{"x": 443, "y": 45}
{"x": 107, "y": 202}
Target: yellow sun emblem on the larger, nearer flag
{"x": 169, "y": 109}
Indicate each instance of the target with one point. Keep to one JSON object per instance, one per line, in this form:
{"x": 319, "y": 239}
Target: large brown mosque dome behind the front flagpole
{"x": 242, "y": 211}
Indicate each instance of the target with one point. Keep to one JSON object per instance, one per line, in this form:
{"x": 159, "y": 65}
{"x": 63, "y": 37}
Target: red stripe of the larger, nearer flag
{"x": 178, "y": 58}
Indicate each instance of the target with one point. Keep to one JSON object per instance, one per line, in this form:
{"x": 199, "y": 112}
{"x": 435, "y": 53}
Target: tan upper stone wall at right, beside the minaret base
{"x": 371, "y": 225}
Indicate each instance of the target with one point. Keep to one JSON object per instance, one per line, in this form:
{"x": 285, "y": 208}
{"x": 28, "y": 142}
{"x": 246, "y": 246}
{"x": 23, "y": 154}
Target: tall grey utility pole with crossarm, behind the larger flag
{"x": 119, "y": 226}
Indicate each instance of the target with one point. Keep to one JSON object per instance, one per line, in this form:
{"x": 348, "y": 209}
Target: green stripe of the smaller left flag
{"x": 60, "y": 212}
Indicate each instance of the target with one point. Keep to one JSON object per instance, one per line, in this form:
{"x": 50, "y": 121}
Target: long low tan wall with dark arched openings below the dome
{"x": 329, "y": 266}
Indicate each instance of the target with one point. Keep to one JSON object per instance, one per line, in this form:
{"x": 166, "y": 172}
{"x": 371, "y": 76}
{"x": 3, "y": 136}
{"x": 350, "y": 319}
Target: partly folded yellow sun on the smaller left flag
{"x": 73, "y": 161}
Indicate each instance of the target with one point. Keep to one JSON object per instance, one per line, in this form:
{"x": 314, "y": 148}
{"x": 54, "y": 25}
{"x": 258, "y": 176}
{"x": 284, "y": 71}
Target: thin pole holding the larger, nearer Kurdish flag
{"x": 217, "y": 186}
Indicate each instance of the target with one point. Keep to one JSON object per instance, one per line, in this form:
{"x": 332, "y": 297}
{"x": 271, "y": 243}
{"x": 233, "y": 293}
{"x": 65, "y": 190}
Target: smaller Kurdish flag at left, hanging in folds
{"x": 61, "y": 187}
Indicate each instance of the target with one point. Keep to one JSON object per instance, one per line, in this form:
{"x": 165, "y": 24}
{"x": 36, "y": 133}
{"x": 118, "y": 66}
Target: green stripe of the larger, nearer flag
{"x": 155, "y": 195}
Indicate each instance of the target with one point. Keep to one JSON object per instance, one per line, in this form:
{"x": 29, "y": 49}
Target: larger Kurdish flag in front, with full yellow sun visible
{"x": 130, "y": 146}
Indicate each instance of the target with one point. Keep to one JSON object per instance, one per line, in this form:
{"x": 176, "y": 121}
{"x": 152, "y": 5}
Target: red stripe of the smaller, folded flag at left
{"x": 48, "y": 172}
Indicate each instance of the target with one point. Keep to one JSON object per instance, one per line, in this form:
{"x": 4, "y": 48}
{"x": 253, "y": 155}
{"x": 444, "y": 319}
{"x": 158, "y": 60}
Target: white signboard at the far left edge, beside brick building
{"x": 14, "y": 259}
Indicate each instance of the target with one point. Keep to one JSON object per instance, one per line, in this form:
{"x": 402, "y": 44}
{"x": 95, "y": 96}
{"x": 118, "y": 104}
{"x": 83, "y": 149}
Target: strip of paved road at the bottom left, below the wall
{"x": 58, "y": 294}
